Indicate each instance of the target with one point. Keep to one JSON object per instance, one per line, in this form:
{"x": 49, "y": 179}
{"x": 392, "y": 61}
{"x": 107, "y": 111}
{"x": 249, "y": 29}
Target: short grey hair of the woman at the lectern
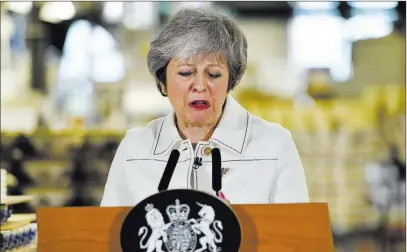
{"x": 193, "y": 32}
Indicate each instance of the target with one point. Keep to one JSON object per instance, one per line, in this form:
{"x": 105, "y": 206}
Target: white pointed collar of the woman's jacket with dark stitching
{"x": 231, "y": 132}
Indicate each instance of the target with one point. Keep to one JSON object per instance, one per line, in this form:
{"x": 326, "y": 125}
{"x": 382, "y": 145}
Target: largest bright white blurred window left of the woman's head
{"x": 90, "y": 54}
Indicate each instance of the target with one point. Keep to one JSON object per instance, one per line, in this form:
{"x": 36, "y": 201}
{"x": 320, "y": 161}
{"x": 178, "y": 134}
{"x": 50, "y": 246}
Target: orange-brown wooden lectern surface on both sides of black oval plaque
{"x": 266, "y": 228}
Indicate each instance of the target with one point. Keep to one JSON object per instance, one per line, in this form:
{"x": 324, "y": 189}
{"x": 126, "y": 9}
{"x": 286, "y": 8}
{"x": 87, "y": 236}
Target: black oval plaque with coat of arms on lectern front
{"x": 181, "y": 221}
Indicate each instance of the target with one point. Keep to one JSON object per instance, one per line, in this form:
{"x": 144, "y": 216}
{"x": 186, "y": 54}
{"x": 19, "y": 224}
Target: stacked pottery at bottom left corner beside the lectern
{"x": 18, "y": 231}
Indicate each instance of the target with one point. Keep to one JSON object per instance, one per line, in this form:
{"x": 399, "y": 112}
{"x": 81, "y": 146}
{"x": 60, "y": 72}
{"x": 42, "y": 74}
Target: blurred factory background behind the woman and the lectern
{"x": 74, "y": 77}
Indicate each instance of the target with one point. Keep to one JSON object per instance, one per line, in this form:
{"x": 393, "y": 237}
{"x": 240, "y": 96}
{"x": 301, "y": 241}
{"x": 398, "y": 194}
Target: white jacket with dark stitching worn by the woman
{"x": 260, "y": 162}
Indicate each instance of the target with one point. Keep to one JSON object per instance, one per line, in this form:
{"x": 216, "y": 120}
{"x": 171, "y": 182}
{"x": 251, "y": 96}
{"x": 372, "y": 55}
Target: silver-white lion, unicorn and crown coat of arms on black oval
{"x": 181, "y": 233}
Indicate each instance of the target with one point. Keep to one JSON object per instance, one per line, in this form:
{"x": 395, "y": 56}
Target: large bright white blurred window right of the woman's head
{"x": 319, "y": 41}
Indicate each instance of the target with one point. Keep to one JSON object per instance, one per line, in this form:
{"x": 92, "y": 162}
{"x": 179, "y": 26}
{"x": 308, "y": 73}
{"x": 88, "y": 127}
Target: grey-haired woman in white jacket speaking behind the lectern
{"x": 197, "y": 59}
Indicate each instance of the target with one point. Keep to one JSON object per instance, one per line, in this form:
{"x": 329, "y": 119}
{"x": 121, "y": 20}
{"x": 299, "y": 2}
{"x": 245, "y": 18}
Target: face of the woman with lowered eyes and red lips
{"x": 197, "y": 90}
